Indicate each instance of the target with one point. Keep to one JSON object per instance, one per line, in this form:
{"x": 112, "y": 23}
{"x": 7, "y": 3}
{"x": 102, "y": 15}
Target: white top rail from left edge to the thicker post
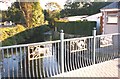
{"x": 24, "y": 45}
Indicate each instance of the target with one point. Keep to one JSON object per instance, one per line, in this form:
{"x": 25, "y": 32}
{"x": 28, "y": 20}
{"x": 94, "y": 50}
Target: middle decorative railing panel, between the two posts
{"x": 78, "y": 45}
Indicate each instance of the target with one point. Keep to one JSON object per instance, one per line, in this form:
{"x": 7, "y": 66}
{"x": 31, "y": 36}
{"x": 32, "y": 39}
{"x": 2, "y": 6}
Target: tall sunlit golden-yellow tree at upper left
{"x": 33, "y": 13}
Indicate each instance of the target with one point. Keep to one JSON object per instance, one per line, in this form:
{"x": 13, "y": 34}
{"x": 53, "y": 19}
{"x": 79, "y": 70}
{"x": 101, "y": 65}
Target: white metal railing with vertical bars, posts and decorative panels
{"x": 46, "y": 59}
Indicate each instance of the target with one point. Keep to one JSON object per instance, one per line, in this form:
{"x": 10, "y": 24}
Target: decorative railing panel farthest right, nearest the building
{"x": 105, "y": 41}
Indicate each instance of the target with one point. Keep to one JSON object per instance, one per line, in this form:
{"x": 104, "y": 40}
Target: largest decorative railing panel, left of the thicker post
{"x": 38, "y": 51}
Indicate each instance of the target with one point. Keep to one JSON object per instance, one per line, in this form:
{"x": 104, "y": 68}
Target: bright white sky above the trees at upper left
{"x": 7, "y": 3}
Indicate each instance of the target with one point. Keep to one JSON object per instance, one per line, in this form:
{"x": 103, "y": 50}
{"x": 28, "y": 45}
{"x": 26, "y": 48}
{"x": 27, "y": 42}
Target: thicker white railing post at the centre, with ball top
{"x": 62, "y": 50}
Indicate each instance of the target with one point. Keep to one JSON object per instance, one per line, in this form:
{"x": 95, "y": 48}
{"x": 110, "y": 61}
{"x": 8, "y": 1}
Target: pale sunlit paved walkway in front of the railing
{"x": 109, "y": 68}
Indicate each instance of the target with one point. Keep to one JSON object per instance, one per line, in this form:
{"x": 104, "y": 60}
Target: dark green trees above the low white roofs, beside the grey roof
{"x": 82, "y": 8}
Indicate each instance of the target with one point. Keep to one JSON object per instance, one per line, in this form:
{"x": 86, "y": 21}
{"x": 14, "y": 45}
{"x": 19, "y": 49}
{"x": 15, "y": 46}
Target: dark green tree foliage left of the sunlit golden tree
{"x": 13, "y": 14}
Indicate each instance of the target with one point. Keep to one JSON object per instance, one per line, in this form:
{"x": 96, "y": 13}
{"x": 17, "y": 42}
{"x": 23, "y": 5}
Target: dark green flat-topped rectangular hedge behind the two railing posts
{"x": 77, "y": 27}
